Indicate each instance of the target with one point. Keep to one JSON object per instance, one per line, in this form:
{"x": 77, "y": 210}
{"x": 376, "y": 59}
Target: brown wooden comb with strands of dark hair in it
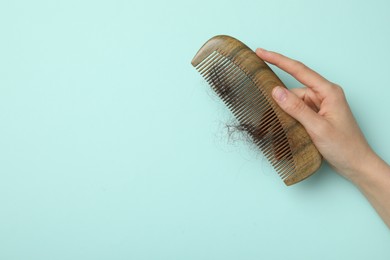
{"x": 245, "y": 82}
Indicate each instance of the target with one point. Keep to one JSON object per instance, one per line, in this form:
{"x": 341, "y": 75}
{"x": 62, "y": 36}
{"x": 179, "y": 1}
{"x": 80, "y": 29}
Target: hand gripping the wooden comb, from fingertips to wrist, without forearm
{"x": 321, "y": 107}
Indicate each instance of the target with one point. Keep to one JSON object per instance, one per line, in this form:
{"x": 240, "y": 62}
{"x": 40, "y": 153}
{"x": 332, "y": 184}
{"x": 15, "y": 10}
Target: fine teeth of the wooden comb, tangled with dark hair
{"x": 251, "y": 108}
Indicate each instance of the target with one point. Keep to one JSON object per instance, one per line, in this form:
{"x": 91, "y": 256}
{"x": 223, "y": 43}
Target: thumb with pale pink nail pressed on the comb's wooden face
{"x": 295, "y": 107}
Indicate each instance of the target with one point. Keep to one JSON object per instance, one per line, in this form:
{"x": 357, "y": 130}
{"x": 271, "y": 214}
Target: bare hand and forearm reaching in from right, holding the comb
{"x": 321, "y": 107}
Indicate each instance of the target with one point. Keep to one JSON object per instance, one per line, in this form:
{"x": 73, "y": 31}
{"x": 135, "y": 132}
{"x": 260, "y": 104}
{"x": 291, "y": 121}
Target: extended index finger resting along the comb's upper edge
{"x": 298, "y": 70}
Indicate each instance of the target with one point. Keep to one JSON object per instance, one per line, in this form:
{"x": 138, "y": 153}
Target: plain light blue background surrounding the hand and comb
{"x": 113, "y": 147}
